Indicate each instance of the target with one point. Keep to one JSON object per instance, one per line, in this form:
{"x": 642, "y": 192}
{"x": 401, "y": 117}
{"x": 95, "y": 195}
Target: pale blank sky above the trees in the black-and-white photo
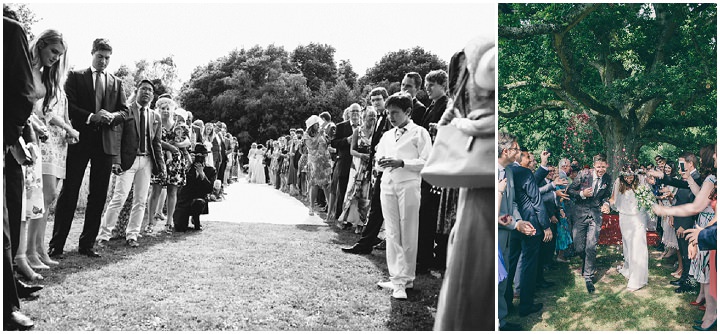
{"x": 196, "y": 34}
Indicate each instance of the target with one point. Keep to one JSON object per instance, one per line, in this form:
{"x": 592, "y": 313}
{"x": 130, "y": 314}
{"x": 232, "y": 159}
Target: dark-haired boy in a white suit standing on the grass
{"x": 402, "y": 153}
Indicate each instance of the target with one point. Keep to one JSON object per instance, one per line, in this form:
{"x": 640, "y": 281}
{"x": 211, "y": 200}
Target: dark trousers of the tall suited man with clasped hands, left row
{"x": 88, "y": 149}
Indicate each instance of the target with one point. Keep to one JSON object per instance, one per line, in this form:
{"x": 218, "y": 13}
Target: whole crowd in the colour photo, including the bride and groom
{"x": 549, "y": 214}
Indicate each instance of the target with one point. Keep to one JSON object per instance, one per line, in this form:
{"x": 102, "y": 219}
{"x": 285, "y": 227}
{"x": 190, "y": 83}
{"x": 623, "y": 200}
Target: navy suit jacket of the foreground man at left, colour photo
{"x": 528, "y": 199}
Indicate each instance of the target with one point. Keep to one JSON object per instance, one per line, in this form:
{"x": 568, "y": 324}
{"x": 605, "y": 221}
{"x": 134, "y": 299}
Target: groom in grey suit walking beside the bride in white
{"x": 590, "y": 194}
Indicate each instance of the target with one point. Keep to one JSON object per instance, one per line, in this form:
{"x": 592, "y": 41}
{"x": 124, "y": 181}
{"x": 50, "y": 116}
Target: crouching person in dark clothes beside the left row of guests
{"x": 192, "y": 200}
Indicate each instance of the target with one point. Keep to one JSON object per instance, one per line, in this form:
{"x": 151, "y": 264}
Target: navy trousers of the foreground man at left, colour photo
{"x": 525, "y": 249}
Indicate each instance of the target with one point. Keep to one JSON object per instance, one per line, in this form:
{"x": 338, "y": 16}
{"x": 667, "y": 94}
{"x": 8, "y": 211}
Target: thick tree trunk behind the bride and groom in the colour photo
{"x": 622, "y": 142}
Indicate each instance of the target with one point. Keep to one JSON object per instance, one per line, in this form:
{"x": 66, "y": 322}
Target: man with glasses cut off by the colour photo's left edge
{"x": 508, "y": 151}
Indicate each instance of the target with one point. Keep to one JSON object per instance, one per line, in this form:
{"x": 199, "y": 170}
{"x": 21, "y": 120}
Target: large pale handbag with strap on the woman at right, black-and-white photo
{"x": 458, "y": 160}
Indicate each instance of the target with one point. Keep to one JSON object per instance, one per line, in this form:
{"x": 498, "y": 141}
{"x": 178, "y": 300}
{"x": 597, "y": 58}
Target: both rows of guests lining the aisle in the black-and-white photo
{"x": 143, "y": 160}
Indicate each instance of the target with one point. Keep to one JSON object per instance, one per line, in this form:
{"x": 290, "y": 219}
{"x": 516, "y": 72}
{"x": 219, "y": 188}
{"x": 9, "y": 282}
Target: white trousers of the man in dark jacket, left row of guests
{"x": 139, "y": 176}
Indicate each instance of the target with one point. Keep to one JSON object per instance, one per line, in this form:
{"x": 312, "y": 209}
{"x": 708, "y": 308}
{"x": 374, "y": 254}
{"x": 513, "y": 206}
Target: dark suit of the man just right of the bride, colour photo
{"x": 683, "y": 196}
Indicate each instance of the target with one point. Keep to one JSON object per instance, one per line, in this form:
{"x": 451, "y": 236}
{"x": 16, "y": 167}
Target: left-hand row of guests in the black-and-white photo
{"x": 56, "y": 122}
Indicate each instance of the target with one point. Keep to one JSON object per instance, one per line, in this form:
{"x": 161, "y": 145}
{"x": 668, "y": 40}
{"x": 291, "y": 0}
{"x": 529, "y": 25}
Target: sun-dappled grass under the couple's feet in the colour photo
{"x": 568, "y": 306}
